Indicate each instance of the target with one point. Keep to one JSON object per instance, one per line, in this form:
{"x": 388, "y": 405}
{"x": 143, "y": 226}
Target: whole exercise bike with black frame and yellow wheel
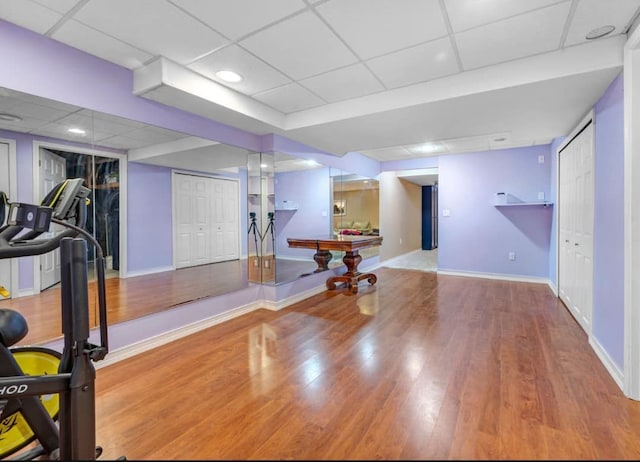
{"x": 39, "y": 386}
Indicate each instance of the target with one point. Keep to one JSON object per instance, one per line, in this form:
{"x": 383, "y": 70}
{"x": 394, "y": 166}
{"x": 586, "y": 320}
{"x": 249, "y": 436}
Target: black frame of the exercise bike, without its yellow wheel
{"x": 74, "y": 436}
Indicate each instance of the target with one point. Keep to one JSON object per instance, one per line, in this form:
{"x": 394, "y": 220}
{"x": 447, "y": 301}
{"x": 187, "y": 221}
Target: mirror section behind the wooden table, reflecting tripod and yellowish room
{"x": 291, "y": 197}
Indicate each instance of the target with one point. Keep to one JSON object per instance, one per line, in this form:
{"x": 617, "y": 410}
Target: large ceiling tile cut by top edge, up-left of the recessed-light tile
{"x": 156, "y": 27}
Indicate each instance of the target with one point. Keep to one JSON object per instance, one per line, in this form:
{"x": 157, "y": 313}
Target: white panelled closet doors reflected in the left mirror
{"x": 206, "y": 222}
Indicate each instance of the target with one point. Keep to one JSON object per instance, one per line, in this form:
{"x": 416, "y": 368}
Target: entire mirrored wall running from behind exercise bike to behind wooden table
{"x": 134, "y": 214}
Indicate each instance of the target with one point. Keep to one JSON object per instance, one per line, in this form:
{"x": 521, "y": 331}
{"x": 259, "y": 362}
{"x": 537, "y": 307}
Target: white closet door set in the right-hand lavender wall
{"x": 575, "y": 224}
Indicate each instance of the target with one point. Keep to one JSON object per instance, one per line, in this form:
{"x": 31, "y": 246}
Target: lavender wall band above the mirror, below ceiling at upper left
{"x": 87, "y": 81}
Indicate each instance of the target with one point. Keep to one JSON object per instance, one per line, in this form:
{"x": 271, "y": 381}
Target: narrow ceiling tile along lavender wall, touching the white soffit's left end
{"x": 77, "y": 35}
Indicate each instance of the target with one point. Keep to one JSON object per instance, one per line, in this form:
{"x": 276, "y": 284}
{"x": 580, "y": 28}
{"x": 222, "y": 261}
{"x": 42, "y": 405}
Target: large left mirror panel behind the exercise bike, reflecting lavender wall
{"x": 152, "y": 152}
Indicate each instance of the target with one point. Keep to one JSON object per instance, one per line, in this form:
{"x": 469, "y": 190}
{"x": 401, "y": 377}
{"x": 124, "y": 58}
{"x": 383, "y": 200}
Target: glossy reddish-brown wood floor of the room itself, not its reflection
{"x": 419, "y": 366}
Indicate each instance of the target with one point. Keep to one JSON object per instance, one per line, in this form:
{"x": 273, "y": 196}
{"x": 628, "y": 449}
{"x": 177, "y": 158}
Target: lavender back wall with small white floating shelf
{"x": 477, "y": 237}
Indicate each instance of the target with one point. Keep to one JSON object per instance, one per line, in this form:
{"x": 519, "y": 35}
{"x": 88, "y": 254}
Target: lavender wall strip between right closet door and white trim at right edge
{"x": 608, "y": 252}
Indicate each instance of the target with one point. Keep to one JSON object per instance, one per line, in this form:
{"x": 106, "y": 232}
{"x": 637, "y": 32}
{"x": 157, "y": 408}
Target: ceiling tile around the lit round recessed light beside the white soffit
{"x": 257, "y": 75}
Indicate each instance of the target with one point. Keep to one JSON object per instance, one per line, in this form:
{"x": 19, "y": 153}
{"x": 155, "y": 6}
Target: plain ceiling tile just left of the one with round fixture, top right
{"x": 513, "y": 38}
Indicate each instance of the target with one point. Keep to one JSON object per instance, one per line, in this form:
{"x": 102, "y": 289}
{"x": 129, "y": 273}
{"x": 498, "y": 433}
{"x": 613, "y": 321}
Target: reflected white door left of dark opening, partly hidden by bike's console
{"x": 52, "y": 171}
